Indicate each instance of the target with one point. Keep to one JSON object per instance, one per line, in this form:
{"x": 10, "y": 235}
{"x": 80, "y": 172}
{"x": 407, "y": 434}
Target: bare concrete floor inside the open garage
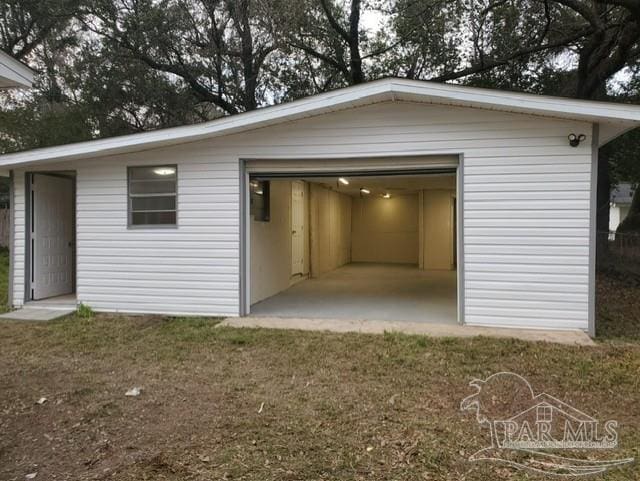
{"x": 363, "y": 291}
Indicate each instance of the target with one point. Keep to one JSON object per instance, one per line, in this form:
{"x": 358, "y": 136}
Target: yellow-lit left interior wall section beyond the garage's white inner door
{"x": 330, "y": 229}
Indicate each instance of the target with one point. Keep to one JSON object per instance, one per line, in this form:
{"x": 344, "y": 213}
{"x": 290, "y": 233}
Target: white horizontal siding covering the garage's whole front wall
{"x": 526, "y": 212}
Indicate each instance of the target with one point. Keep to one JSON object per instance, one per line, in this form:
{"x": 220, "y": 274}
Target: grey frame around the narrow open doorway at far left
{"x": 28, "y": 222}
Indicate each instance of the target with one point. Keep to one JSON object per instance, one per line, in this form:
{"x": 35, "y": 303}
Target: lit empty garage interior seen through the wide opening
{"x": 358, "y": 247}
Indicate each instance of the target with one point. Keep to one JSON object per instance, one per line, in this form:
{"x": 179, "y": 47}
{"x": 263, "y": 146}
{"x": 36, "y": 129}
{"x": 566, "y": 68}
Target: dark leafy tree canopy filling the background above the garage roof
{"x": 108, "y": 67}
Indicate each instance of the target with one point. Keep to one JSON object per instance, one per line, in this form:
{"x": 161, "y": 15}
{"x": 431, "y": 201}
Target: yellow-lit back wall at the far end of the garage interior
{"x": 385, "y": 230}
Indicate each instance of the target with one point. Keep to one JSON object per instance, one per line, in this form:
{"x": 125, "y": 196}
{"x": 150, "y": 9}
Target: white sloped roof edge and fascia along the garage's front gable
{"x": 614, "y": 119}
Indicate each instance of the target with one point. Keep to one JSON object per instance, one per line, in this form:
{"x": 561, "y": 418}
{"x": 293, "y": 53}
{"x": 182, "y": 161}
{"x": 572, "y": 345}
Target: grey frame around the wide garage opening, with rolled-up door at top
{"x": 277, "y": 168}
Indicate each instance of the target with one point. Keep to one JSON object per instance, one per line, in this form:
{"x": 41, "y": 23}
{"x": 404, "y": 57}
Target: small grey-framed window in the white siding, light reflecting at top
{"x": 153, "y": 195}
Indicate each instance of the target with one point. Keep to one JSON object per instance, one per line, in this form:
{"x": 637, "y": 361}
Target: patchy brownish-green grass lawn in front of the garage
{"x": 222, "y": 403}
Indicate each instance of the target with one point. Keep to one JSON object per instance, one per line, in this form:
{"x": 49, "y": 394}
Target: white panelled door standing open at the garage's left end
{"x": 53, "y": 236}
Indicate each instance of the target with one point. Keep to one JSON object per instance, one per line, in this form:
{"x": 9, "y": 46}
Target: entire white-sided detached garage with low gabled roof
{"x": 394, "y": 199}
